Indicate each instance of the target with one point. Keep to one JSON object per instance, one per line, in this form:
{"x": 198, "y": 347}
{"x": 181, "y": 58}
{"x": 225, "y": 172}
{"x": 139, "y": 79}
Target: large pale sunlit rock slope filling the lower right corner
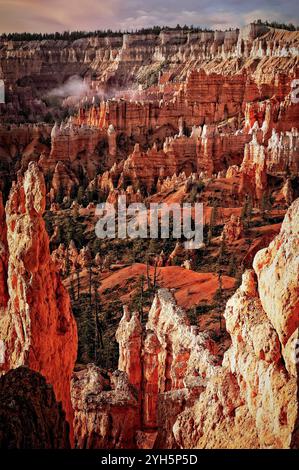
{"x": 260, "y": 409}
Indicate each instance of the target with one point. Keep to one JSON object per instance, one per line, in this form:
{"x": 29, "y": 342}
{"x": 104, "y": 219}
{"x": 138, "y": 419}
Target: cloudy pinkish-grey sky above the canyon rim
{"x": 62, "y": 15}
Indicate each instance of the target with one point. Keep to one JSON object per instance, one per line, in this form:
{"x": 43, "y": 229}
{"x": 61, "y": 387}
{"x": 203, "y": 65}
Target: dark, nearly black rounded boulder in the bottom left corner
{"x": 30, "y": 417}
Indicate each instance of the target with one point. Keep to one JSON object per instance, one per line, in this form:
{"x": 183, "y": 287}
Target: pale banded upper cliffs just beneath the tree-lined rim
{"x": 113, "y": 62}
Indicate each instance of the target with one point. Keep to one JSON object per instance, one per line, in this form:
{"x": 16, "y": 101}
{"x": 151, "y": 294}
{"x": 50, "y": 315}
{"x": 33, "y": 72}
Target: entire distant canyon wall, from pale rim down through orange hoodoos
{"x": 213, "y": 93}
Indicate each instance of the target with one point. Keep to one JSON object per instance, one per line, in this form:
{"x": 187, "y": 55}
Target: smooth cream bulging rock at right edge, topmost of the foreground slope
{"x": 279, "y": 265}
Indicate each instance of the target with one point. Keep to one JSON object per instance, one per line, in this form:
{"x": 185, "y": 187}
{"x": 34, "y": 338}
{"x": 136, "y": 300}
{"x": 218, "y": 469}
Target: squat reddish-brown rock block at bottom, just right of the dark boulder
{"x": 106, "y": 410}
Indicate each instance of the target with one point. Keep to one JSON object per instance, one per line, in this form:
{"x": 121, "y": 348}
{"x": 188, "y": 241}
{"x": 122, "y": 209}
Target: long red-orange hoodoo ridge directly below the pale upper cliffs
{"x": 202, "y": 98}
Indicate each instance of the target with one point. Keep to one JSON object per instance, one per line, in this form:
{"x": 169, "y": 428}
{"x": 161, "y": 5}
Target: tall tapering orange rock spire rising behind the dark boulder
{"x": 36, "y": 323}
